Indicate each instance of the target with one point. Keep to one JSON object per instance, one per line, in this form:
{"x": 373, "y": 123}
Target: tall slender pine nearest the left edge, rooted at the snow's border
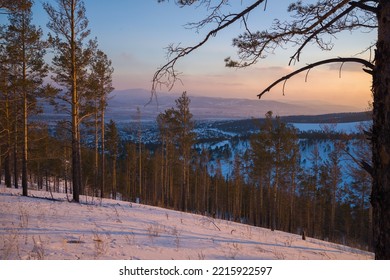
{"x": 26, "y": 53}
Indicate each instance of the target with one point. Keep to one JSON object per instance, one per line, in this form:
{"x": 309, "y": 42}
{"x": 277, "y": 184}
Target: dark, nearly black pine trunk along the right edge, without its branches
{"x": 380, "y": 196}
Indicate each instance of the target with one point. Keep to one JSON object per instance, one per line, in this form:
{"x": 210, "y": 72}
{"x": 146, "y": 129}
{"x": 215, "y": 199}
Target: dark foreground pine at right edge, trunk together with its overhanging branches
{"x": 310, "y": 24}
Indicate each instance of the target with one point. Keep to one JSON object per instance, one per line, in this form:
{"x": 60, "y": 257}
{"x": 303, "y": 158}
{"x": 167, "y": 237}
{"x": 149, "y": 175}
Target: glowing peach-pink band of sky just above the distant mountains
{"x": 323, "y": 84}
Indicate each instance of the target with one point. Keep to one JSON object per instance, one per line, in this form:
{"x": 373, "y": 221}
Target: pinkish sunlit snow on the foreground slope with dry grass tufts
{"x": 39, "y": 228}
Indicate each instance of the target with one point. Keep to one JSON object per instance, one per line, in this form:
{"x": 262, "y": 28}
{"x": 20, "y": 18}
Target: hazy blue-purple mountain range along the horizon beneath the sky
{"x": 122, "y": 106}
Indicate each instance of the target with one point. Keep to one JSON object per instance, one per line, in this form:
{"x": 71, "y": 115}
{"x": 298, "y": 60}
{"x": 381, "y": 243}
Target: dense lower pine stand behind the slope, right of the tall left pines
{"x": 266, "y": 187}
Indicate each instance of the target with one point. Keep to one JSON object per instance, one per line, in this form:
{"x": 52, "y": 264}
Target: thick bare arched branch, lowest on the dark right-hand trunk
{"x": 366, "y": 63}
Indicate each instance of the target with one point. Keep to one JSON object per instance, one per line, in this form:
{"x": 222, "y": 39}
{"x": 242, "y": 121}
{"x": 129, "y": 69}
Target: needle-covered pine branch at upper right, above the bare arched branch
{"x": 309, "y": 24}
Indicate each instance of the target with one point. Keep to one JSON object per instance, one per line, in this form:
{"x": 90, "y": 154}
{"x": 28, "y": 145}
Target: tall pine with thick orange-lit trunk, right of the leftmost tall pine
{"x": 71, "y": 58}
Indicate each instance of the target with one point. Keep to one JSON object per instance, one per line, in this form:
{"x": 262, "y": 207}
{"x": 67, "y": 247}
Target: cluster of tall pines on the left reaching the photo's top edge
{"x": 82, "y": 78}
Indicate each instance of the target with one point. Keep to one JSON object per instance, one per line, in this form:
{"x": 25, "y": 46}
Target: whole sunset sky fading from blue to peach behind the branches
{"x": 135, "y": 34}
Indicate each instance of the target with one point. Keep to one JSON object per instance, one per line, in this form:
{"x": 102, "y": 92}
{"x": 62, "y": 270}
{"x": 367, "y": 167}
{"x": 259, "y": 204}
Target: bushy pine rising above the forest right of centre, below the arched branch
{"x": 274, "y": 159}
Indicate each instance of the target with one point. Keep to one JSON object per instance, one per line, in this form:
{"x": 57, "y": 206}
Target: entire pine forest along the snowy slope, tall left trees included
{"x": 85, "y": 155}
